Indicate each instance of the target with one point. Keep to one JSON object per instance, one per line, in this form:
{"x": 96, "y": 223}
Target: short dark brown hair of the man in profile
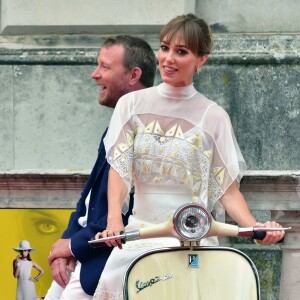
{"x": 138, "y": 53}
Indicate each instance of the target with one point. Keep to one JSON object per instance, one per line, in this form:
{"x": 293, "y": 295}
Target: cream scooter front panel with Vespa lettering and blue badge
{"x": 200, "y": 273}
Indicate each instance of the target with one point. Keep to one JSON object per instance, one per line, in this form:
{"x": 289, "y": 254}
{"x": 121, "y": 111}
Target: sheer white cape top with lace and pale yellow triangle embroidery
{"x": 167, "y": 136}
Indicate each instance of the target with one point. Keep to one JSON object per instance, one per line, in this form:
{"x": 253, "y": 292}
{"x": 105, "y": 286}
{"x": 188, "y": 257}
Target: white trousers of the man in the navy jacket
{"x": 73, "y": 290}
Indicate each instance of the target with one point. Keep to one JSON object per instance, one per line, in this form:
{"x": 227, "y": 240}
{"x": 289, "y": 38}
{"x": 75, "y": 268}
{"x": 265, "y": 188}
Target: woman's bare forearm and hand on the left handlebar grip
{"x": 116, "y": 194}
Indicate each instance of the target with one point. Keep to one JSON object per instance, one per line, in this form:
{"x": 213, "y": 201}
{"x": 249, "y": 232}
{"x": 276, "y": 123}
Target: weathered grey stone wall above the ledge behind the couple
{"x": 50, "y": 118}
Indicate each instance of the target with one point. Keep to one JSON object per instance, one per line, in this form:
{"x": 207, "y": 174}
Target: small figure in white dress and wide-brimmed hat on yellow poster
{"x": 22, "y": 267}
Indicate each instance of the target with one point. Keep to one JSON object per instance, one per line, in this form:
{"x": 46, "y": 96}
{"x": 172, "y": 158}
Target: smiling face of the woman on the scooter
{"x": 177, "y": 63}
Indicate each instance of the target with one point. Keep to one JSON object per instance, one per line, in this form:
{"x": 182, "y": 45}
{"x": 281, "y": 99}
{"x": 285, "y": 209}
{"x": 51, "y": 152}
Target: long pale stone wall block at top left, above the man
{"x": 92, "y": 16}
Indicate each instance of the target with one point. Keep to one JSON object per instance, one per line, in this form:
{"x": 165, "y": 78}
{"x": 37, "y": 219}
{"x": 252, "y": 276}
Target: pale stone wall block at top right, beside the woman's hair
{"x": 251, "y": 16}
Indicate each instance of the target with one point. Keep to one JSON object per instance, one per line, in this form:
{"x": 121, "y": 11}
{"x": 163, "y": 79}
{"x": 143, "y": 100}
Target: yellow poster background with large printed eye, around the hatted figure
{"x": 41, "y": 227}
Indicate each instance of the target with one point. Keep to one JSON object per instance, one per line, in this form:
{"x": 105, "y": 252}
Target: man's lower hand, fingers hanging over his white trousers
{"x": 61, "y": 269}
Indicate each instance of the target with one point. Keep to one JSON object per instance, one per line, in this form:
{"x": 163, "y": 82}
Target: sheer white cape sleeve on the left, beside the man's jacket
{"x": 119, "y": 143}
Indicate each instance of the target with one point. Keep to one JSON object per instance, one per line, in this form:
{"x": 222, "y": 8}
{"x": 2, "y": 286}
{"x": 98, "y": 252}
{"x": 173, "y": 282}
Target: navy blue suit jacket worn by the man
{"x": 92, "y": 260}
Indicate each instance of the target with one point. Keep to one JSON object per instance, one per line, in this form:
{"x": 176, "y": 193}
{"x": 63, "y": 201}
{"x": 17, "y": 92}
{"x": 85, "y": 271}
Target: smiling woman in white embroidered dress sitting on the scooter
{"x": 174, "y": 146}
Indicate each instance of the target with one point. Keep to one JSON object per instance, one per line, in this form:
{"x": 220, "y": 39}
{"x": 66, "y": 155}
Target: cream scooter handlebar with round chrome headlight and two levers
{"x": 191, "y": 222}
